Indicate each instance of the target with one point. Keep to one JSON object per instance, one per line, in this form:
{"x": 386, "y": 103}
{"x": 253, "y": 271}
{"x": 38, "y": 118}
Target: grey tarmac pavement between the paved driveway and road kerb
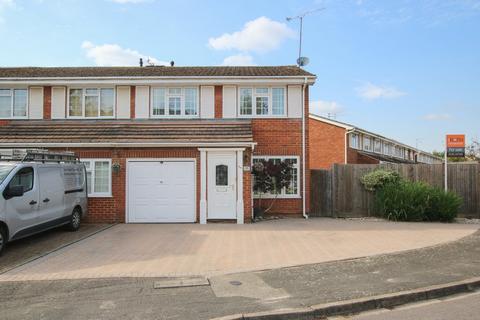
{"x": 261, "y": 291}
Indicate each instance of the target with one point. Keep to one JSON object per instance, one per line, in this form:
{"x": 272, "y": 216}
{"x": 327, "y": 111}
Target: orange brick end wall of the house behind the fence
{"x": 327, "y": 144}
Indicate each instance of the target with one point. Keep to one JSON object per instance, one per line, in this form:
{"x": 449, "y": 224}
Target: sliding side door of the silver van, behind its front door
{"x": 52, "y": 193}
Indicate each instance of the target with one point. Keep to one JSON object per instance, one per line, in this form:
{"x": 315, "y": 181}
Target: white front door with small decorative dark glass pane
{"x": 222, "y": 185}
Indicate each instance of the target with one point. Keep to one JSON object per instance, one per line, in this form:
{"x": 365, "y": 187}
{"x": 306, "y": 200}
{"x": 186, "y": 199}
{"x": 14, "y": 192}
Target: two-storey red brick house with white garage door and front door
{"x": 165, "y": 144}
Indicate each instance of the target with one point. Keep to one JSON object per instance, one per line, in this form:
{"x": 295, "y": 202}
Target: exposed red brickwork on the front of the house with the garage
{"x": 274, "y": 137}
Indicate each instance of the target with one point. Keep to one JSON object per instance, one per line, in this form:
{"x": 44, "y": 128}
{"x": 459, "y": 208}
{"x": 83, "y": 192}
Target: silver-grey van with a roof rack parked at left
{"x": 42, "y": 191}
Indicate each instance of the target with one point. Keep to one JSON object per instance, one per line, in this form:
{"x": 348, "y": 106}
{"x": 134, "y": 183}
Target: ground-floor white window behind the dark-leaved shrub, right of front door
{"x": 292, "y": 191}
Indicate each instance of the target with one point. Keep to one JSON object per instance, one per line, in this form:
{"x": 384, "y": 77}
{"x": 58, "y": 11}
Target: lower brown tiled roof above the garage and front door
{"x": 128, "y": 131}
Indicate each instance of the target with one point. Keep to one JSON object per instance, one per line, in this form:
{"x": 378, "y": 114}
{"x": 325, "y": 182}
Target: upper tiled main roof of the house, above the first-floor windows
{"x": 157, "y": 71}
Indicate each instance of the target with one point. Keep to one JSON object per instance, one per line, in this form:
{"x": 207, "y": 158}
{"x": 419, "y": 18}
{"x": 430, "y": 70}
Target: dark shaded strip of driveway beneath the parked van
{"x": 27, "y": 249}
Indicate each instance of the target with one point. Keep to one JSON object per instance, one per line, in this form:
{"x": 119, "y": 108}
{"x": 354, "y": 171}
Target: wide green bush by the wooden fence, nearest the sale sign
{"x": 416, "y": 201}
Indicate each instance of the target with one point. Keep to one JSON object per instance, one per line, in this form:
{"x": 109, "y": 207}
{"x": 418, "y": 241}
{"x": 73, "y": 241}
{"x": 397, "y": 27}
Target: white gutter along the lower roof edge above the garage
{"x": 124, "y": 144}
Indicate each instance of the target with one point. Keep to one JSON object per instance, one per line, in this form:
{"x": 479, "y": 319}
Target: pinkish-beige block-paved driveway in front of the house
{"x": 155, "y": 250}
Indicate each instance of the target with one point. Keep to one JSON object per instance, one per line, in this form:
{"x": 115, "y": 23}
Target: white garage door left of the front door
{"x": 161, "y": 191}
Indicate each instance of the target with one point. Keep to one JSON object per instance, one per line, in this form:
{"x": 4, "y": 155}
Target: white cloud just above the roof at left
{"x": 114, "y": 55}
